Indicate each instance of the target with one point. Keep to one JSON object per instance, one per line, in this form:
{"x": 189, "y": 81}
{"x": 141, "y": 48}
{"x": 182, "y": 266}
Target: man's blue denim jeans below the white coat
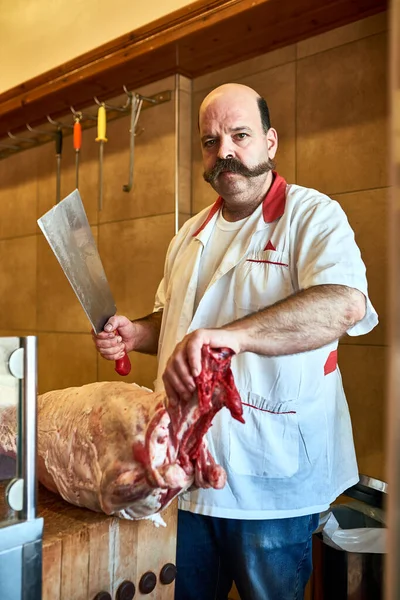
{"x": 267, "y": 560}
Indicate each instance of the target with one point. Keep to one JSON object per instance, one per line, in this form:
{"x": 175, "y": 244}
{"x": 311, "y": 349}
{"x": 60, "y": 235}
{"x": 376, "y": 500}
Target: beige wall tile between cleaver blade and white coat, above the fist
{"x": 133, "y": 254}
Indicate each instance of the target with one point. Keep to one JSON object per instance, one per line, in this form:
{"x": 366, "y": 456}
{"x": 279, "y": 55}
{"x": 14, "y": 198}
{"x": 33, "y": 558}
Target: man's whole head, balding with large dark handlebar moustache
{"x": 237, "y": 145}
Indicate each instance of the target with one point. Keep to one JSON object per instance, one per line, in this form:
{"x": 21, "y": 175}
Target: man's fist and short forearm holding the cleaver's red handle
{"x": 140, "y": 335}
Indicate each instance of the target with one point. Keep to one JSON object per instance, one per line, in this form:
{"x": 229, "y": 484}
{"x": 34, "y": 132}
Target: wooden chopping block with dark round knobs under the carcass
{"x": 85, "y": 553}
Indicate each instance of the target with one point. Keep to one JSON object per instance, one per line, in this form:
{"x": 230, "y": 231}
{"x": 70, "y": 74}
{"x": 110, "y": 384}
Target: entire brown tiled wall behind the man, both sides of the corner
{"x": 328, "y": 101}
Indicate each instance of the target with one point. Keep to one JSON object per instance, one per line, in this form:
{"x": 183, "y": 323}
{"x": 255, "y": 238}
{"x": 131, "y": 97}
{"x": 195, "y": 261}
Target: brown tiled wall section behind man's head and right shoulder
{"x": 328, "y": 101}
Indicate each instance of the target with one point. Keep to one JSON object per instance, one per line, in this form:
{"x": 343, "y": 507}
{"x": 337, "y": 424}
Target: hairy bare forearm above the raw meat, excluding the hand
{"x": 305, "y": 321}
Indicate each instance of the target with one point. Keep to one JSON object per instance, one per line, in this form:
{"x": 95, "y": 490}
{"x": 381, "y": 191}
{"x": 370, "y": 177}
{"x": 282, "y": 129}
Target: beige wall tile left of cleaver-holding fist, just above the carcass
{"x": 65, "y": 360}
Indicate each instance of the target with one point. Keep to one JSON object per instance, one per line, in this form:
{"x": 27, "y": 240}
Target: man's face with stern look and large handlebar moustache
{"x": 235, "y": 148}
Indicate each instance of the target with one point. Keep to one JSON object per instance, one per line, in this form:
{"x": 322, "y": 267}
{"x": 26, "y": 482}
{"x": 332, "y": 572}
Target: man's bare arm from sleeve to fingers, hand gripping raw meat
{"x": 305, "y": 321}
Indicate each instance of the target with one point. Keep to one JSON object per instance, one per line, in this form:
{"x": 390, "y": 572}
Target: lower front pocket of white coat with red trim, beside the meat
{"x": 267, "y": 445}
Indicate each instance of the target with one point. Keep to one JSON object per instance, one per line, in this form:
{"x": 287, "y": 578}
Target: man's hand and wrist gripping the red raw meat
{"x": 185, "y": 362}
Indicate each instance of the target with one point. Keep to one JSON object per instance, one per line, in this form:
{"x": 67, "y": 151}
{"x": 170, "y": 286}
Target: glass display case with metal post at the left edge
{"x": 20, "y": 529}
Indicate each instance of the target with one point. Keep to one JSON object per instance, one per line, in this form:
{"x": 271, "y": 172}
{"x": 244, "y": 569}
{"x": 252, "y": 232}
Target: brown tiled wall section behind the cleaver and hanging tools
{"x": 132, "y": 232}
